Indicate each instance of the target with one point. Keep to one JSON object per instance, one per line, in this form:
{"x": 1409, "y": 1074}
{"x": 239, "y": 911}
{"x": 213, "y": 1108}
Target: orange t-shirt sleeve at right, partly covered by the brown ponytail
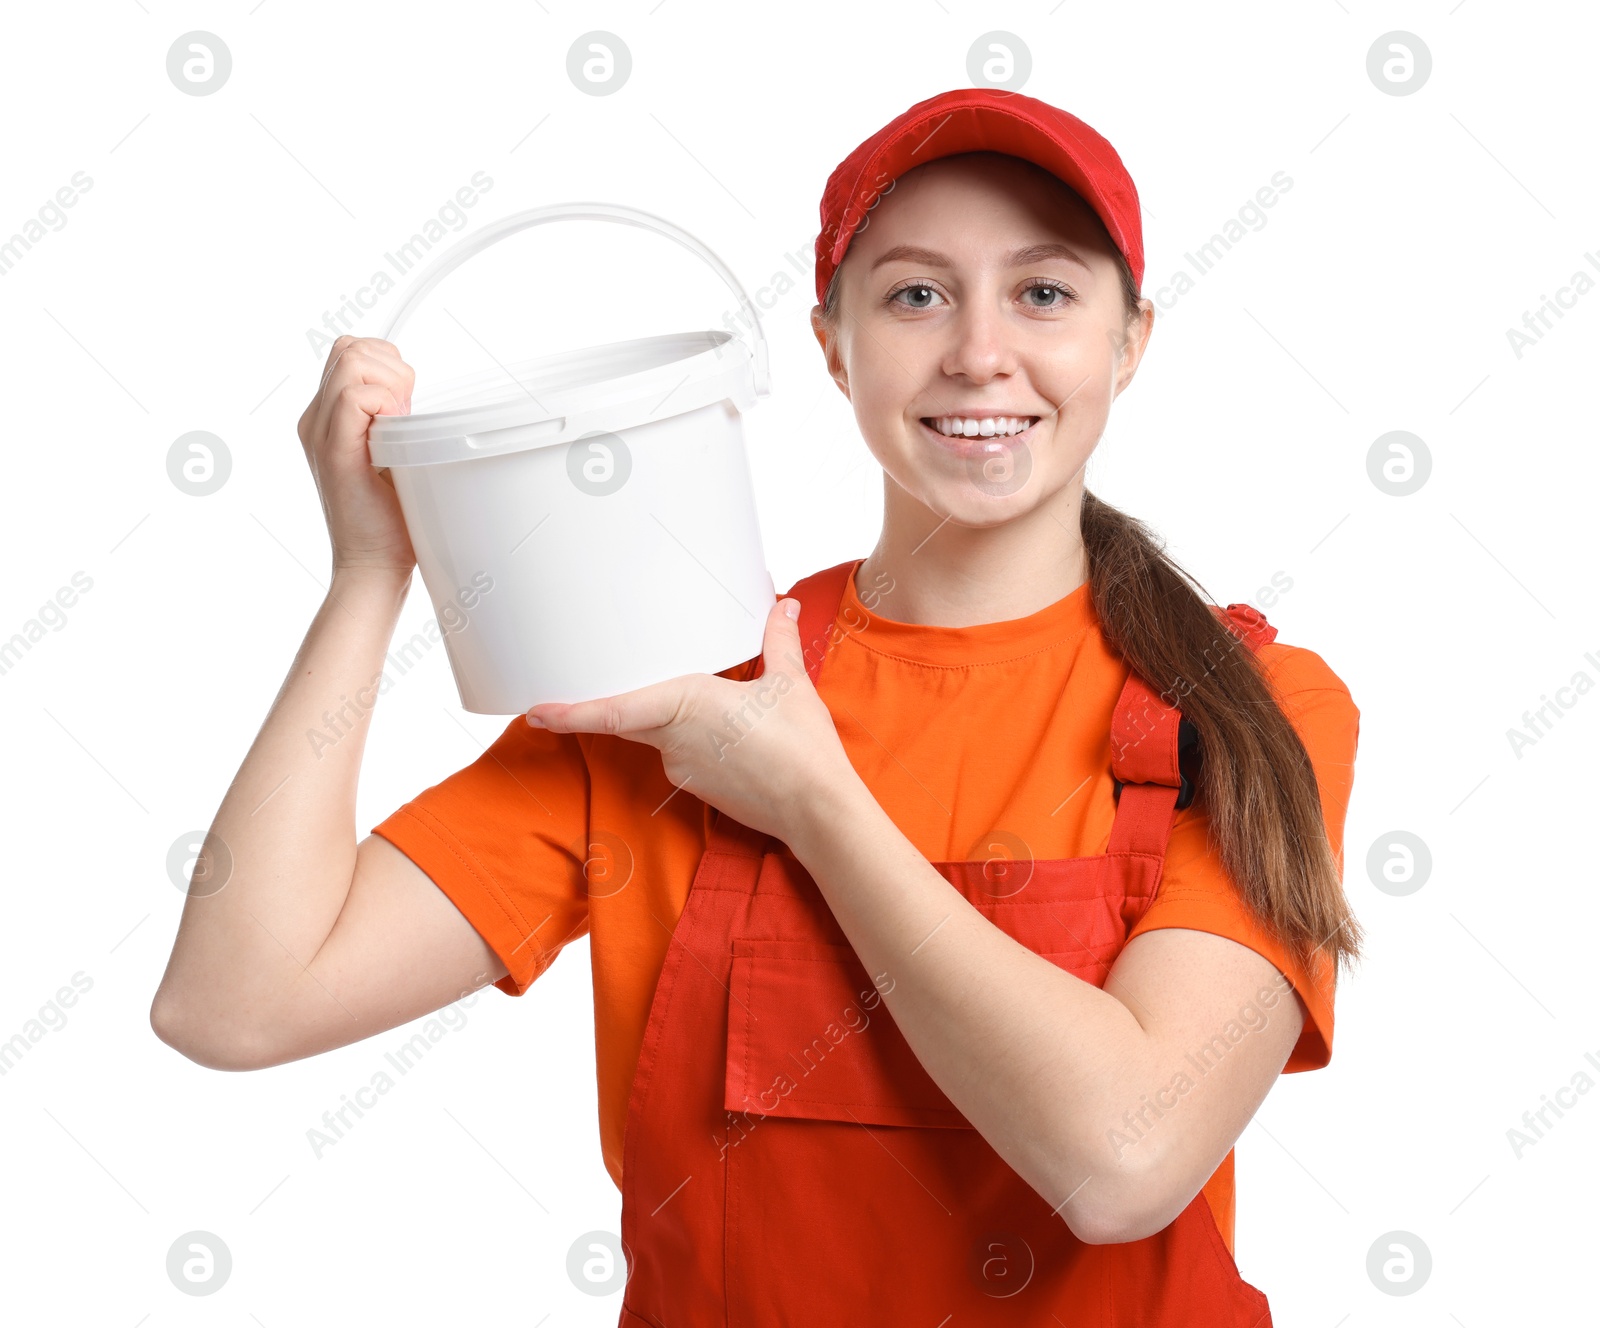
{"x": 1198, "y": 894}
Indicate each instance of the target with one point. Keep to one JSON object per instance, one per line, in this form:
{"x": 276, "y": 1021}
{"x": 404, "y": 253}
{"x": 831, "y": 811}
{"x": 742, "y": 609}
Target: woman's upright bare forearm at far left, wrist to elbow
{"x": 281, "y": 854}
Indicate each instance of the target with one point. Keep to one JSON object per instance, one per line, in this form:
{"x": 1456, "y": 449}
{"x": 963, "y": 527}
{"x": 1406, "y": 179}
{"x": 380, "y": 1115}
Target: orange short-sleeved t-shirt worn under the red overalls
{"x": 967, "y": 737}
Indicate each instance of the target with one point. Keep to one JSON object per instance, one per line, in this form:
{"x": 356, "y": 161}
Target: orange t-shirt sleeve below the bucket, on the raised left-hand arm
{"x": 506, "y": 839}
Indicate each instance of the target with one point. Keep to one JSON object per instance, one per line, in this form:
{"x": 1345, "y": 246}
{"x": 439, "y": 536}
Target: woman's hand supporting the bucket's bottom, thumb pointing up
{"x": 759, "y": 751}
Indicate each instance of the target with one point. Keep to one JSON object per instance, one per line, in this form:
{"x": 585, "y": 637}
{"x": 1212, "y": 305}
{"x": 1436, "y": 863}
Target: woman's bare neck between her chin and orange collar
{"x": 948, "y": 575}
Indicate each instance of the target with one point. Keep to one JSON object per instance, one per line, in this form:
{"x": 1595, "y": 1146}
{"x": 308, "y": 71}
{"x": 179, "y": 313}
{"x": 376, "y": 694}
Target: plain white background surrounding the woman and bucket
{"x": 1375, "y": 298}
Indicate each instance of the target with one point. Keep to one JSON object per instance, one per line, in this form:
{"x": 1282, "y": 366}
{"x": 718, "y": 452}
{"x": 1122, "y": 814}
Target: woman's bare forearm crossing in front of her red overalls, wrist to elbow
{"x": 1038, "y": 1060}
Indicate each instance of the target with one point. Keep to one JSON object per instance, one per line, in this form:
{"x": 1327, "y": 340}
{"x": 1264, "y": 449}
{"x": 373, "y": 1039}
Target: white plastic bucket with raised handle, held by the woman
{"x": 585, "y": 522}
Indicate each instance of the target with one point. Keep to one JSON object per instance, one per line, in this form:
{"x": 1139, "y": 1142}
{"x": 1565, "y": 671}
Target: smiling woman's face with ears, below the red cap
{"x": 982, "y": 338}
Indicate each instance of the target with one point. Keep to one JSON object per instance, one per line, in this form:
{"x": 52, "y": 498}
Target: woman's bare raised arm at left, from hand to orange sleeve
{"x": 294, "y": 938}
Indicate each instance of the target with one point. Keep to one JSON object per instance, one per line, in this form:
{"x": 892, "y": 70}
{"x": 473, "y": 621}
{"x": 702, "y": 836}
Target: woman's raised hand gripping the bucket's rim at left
{"x": 364, "y": 378}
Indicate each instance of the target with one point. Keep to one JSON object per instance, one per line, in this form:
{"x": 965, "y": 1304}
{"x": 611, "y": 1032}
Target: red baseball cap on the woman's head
{"x": 972, "y": 121}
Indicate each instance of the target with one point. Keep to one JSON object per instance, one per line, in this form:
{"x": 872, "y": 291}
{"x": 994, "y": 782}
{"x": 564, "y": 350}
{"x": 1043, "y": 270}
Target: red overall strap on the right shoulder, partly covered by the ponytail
{"x": 1150, "y": 740}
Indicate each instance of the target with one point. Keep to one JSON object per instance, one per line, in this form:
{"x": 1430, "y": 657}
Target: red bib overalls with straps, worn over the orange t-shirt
{"x": 790, "y": 1162}
